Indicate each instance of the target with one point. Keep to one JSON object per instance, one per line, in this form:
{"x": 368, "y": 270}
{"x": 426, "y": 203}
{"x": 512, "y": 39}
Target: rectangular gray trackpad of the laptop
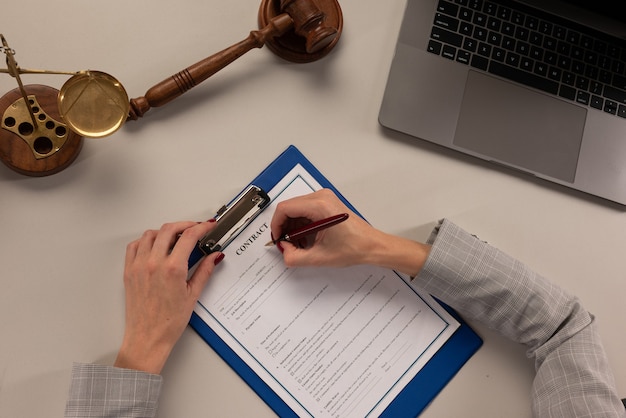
{"x": 519, "y": 126}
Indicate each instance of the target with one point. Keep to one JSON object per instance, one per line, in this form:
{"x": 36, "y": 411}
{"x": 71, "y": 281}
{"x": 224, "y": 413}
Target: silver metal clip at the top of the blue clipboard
{"x": 233, "y": 218}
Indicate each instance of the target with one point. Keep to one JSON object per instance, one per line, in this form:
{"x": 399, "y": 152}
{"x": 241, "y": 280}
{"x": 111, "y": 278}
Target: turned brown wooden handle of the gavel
{"x": 179, "y": 83}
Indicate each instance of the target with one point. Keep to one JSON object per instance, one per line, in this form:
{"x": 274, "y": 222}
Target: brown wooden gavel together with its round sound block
{"x": 317, "y": 29}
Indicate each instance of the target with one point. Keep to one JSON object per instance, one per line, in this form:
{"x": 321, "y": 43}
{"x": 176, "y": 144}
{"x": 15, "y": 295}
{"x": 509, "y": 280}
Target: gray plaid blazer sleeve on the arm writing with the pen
{"x": 482, "y": 283}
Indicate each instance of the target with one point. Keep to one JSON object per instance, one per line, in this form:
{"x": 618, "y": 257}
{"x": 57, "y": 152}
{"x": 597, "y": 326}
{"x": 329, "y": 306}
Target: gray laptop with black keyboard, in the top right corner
{"x": 535, "y": 85}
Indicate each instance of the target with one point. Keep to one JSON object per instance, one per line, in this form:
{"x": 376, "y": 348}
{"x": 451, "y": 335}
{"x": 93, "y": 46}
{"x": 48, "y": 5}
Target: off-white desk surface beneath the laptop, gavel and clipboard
{"x": 63, "y": 237}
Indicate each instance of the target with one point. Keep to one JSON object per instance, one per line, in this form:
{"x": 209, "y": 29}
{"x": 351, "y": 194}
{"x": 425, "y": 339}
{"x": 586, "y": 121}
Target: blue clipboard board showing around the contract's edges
{"x": 417, "y": 394}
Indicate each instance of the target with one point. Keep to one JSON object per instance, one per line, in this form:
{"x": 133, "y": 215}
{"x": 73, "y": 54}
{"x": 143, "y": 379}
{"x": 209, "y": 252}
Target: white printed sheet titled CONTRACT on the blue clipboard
{"x": 331, "y": 342}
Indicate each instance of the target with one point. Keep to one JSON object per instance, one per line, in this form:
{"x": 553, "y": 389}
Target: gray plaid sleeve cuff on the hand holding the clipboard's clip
{"x": 105, "y": 391}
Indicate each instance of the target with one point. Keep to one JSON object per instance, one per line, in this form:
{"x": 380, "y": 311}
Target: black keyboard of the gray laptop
{"x": 555, "y": 56}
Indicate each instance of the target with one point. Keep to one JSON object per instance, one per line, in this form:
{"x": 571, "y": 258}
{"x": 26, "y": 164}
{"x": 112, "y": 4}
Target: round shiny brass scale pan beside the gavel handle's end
{"x": 93, "y": 104}
